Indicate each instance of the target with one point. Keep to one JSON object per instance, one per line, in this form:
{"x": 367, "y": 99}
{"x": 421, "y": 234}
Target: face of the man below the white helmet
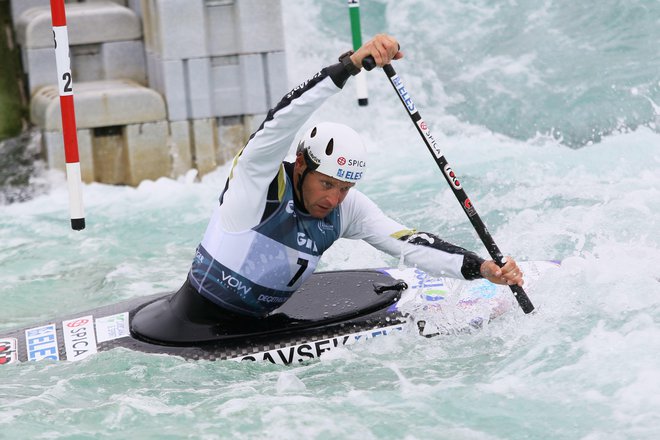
{"x": 322, "y": 194}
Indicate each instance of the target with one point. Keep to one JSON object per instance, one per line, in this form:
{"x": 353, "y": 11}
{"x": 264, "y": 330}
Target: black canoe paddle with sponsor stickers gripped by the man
{"x": 452, "y": 179}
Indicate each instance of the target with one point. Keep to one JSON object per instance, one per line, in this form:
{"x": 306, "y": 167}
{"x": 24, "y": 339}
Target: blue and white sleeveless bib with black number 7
{"x": 254, "y": 272}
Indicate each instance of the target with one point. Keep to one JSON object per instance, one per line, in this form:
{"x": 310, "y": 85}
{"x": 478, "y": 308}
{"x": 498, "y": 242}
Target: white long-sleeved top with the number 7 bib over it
{"x": 259, "y": 246}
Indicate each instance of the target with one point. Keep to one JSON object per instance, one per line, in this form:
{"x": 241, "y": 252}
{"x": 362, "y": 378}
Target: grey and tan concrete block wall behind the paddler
{"x": 160, "y": 86}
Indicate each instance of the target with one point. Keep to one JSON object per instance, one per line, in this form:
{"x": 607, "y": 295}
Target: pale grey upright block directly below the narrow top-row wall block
{"x": 226, "y": 83}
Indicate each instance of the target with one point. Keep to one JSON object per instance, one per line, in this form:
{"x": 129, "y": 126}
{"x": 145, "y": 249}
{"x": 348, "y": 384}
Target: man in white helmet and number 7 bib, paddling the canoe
{"x": 275, "y": 219}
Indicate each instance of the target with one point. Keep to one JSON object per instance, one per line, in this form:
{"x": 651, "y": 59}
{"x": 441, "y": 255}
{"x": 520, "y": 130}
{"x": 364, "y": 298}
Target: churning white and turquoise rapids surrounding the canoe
{"x": 585, "y": 365}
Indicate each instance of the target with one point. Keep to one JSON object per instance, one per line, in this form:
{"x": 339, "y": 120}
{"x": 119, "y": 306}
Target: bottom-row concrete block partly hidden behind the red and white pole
{"x": 53, "y": 149}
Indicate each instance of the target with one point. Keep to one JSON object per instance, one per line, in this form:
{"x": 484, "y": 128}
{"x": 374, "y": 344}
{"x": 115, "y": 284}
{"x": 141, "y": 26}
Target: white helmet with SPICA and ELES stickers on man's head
{"x": 334, "y": 150}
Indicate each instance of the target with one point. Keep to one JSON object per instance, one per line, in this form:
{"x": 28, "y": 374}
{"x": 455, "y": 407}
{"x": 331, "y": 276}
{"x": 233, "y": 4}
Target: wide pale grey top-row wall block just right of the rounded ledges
{"x": 178, "y": 29}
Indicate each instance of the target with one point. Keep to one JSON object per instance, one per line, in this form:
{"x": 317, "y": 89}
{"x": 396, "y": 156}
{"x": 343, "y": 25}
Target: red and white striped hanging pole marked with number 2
{"x": 65, "y": 86}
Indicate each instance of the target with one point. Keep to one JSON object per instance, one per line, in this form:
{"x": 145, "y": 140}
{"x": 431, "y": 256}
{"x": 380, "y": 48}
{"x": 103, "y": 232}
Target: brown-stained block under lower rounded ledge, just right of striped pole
{"x": 109, "y": 152}
